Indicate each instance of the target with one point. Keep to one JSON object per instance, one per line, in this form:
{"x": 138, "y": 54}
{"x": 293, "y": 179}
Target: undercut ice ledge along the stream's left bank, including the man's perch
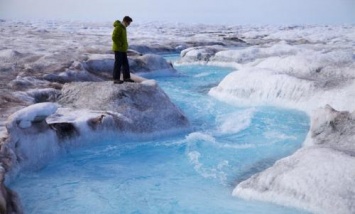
{"x": 85, "y": 111}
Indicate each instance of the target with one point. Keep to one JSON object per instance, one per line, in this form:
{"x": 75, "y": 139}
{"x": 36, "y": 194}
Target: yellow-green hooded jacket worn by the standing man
{"x": 119, "y": 37}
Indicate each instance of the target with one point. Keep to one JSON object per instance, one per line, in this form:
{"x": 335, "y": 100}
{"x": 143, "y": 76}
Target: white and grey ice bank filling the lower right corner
{"x": 319, "y": 177}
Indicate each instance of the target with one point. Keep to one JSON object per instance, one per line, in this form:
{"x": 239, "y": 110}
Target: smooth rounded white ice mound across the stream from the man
{"x": 264, "y": 87}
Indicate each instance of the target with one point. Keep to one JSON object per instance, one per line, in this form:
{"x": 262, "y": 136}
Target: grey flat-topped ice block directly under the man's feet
{"x": 141, "y": 108}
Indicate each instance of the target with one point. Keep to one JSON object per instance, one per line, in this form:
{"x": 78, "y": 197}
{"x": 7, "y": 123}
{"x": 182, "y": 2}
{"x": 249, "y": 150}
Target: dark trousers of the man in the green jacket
{"x": 121, "y": 60}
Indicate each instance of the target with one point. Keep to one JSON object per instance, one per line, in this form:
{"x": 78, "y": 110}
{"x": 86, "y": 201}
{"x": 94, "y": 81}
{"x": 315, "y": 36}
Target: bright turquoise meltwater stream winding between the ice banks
{"x": 192, "y": 172}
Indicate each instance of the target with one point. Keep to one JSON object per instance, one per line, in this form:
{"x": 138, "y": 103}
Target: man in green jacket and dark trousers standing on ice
{"x": 120, "y": 47}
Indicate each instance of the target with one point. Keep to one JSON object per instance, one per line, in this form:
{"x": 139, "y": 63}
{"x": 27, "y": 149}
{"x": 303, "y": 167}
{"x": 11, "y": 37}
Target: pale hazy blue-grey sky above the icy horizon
{"x": 186, "y": 11}
